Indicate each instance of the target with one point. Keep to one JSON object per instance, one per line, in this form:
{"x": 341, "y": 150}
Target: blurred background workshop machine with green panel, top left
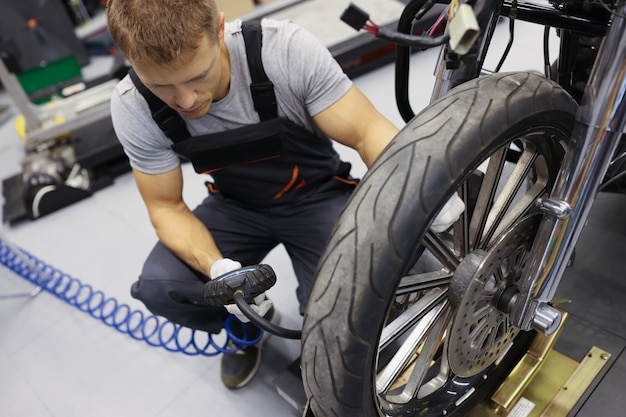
{"x": 70, "y": 148}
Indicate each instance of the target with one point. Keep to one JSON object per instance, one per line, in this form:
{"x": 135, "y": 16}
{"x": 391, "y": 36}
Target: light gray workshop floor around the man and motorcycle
{"x": 59, "y": 361}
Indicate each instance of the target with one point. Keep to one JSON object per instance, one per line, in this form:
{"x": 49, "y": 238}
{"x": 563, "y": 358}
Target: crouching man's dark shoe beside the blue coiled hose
{"x": 239, "y": 367}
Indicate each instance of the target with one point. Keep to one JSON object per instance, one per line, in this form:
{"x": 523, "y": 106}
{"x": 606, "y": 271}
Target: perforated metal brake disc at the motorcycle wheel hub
{"x": 481, "y": 332}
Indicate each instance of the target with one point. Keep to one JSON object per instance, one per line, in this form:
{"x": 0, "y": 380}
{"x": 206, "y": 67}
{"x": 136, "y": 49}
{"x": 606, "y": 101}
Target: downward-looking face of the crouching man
{"x": 191, "y": 87}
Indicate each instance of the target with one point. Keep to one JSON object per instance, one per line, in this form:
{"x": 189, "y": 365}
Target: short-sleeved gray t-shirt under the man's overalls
{"x": 306, "y": 80}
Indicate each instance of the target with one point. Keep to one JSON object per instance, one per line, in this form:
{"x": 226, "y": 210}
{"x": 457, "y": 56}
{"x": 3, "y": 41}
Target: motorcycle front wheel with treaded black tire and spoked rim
{"x": 381, "y": 240}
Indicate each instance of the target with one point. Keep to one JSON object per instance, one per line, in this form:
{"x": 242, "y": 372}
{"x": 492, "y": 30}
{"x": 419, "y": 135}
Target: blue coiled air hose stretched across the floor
{"x": 155, "y": 331}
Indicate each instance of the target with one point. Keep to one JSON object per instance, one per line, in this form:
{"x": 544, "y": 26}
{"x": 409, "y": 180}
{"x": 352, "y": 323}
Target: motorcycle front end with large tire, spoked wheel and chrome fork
{"x": 406, "y": 321}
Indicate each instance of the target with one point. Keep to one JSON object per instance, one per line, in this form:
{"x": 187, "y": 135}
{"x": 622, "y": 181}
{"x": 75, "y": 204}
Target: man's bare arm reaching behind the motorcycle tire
{"x": 353, "y": 121}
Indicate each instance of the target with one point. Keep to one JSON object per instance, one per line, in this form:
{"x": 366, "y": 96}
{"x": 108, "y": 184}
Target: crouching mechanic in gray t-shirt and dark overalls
{"x": 276, "y": 179}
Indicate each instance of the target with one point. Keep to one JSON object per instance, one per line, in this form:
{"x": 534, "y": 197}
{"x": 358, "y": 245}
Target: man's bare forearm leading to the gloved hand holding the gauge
{"x": 176, "y": 226}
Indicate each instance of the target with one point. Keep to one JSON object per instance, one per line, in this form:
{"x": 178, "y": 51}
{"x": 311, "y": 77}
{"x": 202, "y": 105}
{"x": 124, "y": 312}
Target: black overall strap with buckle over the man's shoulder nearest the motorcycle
{"x": 262, "y": 89}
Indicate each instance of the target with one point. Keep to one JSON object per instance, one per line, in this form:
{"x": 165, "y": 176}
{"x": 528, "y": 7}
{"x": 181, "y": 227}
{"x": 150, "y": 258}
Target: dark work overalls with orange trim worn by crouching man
{"x": 274, "y": 182}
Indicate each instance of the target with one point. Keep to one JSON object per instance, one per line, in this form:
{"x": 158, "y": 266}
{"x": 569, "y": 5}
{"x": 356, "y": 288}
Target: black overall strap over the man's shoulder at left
{"x": 170, "y": 122}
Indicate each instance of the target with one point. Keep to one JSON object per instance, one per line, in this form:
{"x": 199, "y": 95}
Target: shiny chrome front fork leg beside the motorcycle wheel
{"x": 600, "y": 123}
